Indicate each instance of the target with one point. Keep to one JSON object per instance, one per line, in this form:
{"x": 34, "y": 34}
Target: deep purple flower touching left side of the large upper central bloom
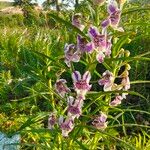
{"x": 83, "y": 45}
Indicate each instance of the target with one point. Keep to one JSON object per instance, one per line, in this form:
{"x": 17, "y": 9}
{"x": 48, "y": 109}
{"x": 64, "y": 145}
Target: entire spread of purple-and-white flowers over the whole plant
{"x": 98, "y": 43}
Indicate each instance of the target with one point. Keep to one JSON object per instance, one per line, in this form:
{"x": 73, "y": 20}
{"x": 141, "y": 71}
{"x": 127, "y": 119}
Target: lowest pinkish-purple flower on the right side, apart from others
{"x": 100, "y": 121}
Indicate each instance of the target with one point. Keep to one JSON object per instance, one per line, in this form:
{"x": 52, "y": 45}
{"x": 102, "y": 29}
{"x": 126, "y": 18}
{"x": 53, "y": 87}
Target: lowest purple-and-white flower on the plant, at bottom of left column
{"x": 66, "y": 126}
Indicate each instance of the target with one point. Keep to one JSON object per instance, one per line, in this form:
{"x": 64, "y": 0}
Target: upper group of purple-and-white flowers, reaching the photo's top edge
{"x": 100, "y": 42}
